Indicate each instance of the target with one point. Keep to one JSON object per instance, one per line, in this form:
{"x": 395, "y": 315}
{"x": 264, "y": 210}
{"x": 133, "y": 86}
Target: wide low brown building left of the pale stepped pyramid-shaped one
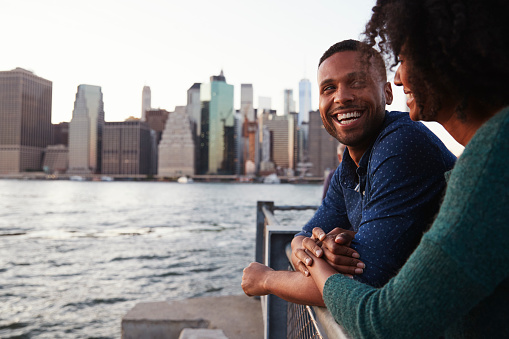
{"x": 127, "y": 148}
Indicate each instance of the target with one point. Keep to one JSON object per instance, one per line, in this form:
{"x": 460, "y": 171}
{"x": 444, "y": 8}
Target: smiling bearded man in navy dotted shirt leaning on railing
{"x": 383, "y": 195}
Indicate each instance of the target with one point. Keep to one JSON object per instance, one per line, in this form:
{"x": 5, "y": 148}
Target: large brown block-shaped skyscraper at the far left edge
{"x": 25, "y": 115}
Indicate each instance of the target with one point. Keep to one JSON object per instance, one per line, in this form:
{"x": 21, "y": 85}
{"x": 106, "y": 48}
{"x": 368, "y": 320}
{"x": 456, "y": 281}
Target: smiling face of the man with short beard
{"x": 353, "y": 95}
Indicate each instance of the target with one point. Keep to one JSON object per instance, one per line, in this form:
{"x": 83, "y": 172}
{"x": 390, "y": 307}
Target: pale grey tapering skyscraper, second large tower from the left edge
{"x": 85, "y": 131}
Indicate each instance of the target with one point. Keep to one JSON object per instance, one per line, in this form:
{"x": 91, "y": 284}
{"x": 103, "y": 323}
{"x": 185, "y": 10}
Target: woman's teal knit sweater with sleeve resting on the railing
{"x": 461, "y": 261}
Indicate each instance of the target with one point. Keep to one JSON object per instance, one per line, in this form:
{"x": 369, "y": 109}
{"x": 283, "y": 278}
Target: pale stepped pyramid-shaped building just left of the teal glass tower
{"x": 176, "y": 149}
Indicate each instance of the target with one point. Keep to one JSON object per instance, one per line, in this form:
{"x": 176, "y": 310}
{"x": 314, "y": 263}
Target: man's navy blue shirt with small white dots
{"x": 390, "y": 199}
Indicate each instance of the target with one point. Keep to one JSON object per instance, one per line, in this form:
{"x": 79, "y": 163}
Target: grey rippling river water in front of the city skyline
{"x": 76, "y": 256}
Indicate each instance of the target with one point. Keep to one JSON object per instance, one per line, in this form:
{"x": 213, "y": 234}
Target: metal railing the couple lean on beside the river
{"x": 283, "y": 319}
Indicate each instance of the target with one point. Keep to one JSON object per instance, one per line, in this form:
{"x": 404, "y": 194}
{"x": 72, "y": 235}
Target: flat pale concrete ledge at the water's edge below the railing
{"x": 237, "y": 316}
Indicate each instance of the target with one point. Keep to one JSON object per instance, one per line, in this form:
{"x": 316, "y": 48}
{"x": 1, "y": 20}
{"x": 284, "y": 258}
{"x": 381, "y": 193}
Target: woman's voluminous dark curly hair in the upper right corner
{"x": 457, "y": 49}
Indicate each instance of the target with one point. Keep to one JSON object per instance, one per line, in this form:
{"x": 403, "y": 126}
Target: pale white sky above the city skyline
{"x": 123, "y": 45}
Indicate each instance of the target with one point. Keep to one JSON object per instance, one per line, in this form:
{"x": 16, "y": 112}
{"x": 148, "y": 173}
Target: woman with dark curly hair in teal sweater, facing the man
{"x": 454, "y": 67}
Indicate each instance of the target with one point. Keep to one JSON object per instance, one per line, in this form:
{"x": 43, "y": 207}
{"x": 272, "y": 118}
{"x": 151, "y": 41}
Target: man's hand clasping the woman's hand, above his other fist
{"x": 334, "y": 247}
